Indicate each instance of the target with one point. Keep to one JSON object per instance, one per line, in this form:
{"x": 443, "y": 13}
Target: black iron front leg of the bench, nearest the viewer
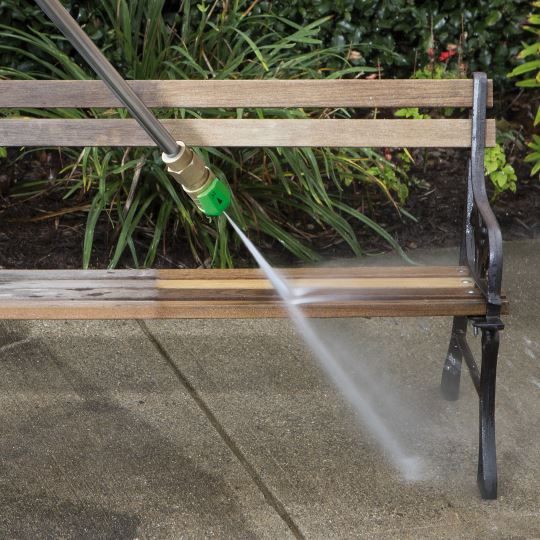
{"x": 487, "y": 457}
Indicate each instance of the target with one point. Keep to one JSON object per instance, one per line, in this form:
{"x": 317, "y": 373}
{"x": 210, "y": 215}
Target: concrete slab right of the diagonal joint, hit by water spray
{"x": 269, "y": 393}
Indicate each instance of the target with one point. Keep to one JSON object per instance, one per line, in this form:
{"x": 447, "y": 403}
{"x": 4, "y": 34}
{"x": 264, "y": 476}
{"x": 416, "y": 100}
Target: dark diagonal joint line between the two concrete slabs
{"x": 270, "y": 498}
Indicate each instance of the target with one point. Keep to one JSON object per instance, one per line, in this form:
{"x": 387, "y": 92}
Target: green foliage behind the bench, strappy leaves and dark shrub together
{"x": 283, "y": 193}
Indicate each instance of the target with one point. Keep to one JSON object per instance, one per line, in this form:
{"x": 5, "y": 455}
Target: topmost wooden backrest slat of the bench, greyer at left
{"x": 246, "y": 93}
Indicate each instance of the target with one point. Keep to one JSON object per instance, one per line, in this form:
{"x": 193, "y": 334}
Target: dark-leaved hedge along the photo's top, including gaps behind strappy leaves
{"x": 398, "y": 30}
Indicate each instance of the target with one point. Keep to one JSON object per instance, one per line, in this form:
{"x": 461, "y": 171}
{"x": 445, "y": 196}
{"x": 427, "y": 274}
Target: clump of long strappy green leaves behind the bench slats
{"x": 275, "y": 188}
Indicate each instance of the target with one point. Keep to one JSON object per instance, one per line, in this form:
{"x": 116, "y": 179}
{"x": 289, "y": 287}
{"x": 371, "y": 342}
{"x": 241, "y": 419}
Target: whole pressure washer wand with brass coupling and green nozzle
{"x": 210, "y": 194}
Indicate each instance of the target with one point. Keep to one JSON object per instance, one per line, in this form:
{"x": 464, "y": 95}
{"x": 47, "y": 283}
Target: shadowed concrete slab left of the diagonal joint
{"x": 99, "y": 440}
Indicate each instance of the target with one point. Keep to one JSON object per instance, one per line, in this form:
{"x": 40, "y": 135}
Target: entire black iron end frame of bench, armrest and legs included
{"x": 482, "y": 251}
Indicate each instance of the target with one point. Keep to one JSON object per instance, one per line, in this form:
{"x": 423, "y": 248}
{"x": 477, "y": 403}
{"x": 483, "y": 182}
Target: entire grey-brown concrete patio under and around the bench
{"x": 199, "y": 428}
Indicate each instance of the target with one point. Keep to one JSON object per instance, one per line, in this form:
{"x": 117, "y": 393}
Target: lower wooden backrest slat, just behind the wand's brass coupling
{"x": 246, "y": 133}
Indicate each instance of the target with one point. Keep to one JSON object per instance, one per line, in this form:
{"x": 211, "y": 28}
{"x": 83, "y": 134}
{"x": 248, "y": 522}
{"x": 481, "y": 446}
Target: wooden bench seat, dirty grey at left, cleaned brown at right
{"x": 74, "y": 294}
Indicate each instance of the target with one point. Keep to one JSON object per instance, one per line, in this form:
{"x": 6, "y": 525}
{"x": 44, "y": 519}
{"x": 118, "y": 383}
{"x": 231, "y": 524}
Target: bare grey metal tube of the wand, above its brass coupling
{"x": 97, "y": 61}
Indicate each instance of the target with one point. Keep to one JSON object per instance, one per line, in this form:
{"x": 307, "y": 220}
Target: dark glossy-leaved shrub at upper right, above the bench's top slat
{"x": 402, "y": 29}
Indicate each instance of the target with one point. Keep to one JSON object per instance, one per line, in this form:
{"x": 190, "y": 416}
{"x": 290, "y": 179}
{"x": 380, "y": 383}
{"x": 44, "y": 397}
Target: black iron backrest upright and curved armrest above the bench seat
{"x": 483, "y": 239}
